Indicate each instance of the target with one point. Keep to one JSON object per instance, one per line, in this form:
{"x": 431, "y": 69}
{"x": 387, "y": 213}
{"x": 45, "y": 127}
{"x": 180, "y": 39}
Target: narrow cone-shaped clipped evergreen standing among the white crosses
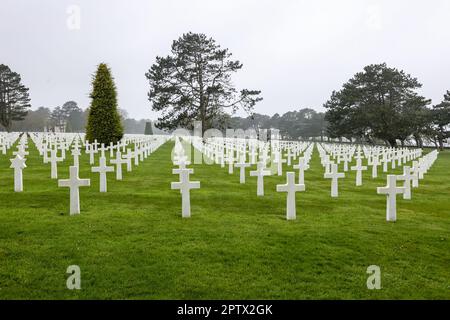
{"x": 104, "y": 124}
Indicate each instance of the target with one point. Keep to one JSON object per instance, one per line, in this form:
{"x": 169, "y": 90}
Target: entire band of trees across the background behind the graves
{"x": 194, "y": 82}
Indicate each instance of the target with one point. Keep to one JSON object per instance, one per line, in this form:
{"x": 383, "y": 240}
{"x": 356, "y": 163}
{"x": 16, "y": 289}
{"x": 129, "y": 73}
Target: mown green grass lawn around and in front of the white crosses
{"x": 131, "y": 242}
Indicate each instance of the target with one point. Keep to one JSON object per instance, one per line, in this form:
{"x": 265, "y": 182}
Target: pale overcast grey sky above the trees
{"x": 295, "y": 52}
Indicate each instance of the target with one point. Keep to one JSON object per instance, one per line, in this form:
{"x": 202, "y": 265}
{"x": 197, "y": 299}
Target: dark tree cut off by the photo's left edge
{"x": 14, "y": 97}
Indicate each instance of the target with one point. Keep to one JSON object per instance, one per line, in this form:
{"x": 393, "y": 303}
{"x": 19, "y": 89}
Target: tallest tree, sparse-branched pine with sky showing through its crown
{"x": 194, "y": 83}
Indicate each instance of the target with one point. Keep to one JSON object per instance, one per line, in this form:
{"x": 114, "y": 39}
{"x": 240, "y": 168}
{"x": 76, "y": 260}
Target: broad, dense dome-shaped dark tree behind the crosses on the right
{"x": 378, "y": 103}
